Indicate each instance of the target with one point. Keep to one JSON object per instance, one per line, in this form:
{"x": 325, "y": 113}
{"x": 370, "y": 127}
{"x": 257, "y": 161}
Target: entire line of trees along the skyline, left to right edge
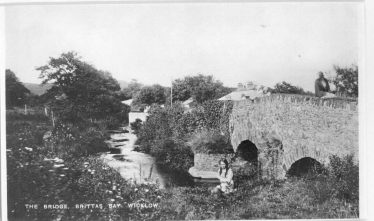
{"x": 80, "y": 91}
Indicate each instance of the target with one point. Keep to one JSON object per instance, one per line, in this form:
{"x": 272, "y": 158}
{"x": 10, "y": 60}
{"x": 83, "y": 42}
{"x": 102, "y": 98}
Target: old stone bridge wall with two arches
{"x": 284, "y": 129}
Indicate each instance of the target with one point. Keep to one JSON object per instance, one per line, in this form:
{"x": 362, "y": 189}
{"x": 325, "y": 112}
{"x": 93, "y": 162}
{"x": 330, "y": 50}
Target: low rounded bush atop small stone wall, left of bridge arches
{"x": 209, "y": 142}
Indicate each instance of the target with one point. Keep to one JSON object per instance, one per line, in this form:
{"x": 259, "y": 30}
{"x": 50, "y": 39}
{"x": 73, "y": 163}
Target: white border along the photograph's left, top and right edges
{"x": 366, "y": 101}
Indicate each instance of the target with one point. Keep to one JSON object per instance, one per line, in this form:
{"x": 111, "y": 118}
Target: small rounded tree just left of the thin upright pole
{"x": 149, "y": 95}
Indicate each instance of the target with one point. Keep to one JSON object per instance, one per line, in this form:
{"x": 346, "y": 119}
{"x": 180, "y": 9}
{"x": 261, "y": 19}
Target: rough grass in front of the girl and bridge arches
{"x": 291, "y": 199}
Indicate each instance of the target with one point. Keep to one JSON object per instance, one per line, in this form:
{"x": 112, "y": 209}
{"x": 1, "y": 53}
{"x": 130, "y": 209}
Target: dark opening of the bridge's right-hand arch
{"x": 305, "y": 166}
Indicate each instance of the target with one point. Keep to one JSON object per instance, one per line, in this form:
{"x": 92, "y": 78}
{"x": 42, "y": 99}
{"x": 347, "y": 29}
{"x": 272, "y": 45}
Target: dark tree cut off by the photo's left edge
{"x": 16, "y": 92}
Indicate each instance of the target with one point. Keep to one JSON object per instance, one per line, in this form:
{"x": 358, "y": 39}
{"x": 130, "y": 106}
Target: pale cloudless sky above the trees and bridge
{"x": 155, "y": 43}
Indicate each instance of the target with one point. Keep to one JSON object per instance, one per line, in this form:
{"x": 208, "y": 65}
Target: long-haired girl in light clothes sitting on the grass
{"x": 225, "y": 176}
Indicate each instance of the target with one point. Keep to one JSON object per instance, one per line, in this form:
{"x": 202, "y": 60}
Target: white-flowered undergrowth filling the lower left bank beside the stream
{"x": 38, "y": 176}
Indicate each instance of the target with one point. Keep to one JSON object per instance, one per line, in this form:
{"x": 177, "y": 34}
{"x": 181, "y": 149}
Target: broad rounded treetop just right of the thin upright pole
{"x": 200, "y": 87}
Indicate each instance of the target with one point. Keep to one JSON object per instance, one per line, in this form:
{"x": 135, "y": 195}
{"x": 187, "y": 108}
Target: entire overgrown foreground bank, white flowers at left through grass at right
{"x": 54, "y": 170}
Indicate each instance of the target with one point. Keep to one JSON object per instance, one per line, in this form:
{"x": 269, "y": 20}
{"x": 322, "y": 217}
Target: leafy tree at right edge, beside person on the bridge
{"x": 346, "y": 81}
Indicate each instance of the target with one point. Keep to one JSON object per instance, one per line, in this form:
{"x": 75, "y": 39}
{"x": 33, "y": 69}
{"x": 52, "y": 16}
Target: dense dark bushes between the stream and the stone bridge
{"x": 174, "y": 125}
